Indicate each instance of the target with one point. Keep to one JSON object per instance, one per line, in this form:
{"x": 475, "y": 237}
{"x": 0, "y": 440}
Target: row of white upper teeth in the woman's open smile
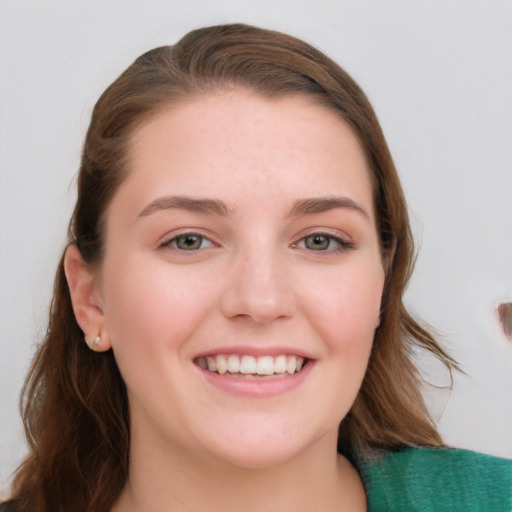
{"x": 250, "y": 365}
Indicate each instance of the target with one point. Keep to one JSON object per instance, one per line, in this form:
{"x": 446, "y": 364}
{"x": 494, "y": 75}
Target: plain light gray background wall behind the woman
{"x": 439, "y": 74}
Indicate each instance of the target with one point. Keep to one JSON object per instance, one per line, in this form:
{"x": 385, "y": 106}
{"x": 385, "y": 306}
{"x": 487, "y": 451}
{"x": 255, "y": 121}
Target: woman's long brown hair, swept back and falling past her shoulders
{"x": 74, "y": 401}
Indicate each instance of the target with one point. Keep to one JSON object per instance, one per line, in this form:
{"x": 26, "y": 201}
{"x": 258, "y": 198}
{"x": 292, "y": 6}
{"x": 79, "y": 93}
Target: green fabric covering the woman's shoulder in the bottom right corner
{"x": 437, "y": 480}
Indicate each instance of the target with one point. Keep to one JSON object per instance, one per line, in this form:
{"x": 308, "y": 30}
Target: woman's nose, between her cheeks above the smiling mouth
{"x": 260, "y": 288}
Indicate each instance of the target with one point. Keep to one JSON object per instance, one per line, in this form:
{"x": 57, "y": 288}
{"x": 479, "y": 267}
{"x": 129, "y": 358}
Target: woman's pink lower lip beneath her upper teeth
{"x": 255, "y": 387}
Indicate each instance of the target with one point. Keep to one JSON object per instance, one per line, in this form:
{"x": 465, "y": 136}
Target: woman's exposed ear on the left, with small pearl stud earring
{"x": 86, "y": 299}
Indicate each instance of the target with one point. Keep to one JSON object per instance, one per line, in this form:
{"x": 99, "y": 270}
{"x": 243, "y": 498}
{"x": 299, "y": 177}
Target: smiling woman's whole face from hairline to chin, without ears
{"x": 242, "y": 278}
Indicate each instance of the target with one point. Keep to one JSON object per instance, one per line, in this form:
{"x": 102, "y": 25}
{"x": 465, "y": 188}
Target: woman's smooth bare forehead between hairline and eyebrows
{"x": 236, "y": 143}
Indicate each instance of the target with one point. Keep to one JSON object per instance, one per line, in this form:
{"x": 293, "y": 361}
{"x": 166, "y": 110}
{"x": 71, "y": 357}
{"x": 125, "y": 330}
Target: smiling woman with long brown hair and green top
{"x": 227, "y": 328}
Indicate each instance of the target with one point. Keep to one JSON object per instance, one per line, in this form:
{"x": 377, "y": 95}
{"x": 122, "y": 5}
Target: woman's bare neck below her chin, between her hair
{"x": 317, "y": 479}
